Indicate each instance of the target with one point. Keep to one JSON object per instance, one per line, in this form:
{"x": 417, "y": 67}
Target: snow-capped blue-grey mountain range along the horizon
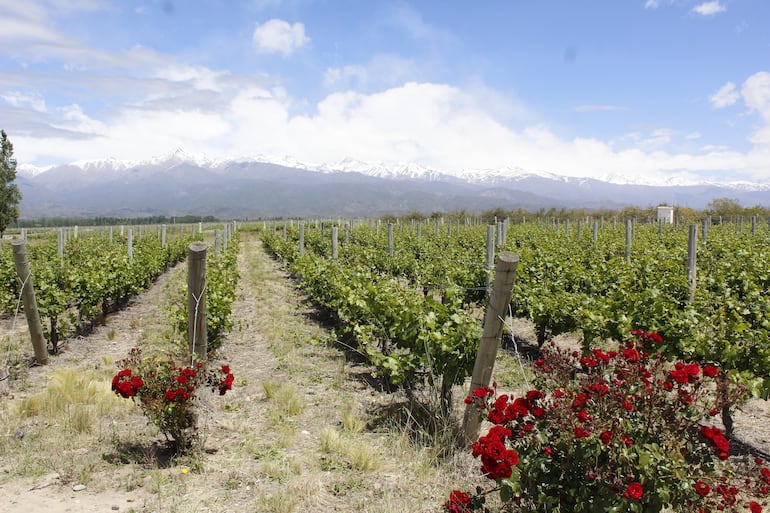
{"x": 262, "y": 187}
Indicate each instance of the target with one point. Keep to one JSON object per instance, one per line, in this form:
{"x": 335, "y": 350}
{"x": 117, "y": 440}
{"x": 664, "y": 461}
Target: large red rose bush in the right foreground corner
{"x": 613, "y": 431}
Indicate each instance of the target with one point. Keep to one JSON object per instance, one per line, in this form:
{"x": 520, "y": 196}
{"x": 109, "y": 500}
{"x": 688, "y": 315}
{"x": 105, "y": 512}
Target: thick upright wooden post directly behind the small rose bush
{"x": 197, "y": 329}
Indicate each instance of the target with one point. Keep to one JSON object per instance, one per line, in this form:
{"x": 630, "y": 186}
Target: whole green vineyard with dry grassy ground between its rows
{"x": 310, "y": 426}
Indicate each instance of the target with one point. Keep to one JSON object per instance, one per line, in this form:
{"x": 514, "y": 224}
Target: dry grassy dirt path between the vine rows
{"x": 301, "y": 430}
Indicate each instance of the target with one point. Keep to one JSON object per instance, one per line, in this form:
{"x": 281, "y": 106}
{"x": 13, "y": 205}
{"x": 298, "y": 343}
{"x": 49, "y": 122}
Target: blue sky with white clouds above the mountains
{"x": 652, "y": 89}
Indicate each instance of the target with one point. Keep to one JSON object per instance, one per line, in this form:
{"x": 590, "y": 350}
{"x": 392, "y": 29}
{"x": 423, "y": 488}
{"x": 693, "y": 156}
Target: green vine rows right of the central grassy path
{"x": 414, "y": 305}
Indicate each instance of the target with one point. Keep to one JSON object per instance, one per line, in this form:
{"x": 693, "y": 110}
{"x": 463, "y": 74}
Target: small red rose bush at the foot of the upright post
{"x": 167, "y": 392}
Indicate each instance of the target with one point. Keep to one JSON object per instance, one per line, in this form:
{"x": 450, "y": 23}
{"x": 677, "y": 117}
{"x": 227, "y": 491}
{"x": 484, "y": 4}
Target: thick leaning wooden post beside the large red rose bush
{"x": 505, "y": 272}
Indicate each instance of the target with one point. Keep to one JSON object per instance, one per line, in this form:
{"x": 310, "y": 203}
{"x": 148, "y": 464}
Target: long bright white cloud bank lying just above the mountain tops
{"x": 427, "y": 123}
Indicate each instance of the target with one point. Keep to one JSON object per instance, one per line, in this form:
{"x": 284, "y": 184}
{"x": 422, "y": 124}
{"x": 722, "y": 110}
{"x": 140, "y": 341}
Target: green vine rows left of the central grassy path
{"x": 95, "y": 275}
